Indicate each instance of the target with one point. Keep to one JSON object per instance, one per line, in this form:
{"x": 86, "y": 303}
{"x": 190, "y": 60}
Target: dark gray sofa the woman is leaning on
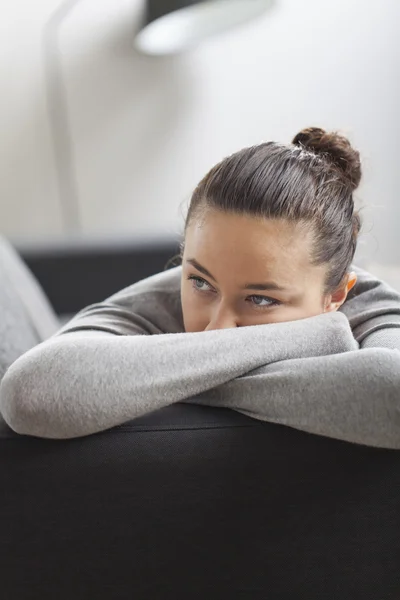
{"x": 189, "y": 502}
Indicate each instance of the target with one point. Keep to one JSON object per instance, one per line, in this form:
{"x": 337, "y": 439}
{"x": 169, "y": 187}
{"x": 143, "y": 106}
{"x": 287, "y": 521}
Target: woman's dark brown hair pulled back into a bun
{"x": 310, "y": 182}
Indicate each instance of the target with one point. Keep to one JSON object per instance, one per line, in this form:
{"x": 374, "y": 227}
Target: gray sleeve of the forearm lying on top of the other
{"x": 87, "y": 381}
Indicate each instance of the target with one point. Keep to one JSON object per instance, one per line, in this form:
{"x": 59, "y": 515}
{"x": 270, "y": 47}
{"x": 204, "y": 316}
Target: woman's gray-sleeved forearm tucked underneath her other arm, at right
{"x": 353, "y": 396}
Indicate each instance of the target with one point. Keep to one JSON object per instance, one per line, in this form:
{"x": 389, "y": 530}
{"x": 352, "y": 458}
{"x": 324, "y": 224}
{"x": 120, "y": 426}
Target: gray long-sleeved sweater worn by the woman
{"x": 335, "y": 374}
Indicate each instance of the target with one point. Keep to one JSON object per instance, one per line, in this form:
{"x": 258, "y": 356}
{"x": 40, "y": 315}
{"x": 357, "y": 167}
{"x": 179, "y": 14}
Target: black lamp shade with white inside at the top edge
{"x": 172, "y": 26}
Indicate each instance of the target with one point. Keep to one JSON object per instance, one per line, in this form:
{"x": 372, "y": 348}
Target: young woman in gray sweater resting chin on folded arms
{"x": 266, "y": 315}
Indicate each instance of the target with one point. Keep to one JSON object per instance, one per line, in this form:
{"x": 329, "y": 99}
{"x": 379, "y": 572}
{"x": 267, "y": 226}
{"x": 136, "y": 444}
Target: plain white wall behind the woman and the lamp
{"x": 145, "y": 130}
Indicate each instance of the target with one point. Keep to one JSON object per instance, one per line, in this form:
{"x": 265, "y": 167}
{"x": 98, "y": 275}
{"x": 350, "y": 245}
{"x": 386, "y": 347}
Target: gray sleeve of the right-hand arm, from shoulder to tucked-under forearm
{"x": 353, "y": 396}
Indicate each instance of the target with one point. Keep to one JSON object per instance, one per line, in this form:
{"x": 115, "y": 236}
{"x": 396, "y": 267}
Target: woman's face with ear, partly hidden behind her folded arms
{"x": 238, "y": 270}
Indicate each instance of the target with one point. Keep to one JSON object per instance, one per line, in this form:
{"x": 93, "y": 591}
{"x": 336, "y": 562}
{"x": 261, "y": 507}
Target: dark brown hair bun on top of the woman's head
{"x": 336, "y": 147}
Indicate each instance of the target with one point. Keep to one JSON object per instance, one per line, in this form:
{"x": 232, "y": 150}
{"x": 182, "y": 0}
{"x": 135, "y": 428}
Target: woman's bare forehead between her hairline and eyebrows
{"x": 242, "y": 247}
